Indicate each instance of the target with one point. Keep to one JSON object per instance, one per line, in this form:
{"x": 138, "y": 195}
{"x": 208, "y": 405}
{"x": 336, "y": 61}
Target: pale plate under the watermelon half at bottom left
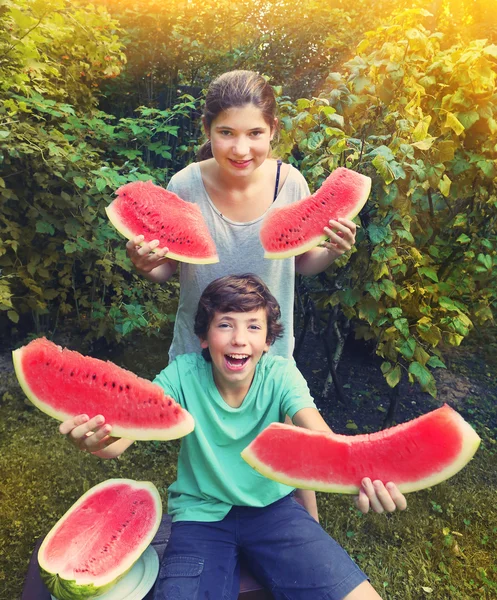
{"x": 138, "y": 581}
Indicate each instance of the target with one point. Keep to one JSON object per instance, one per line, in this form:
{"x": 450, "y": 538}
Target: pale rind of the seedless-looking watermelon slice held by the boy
{"x": 470, "y": 444}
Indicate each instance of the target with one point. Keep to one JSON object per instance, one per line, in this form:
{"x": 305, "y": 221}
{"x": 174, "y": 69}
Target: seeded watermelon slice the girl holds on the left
{"x": 142, "y": 208}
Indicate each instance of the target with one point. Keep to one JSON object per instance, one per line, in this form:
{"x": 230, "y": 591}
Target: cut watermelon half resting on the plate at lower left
{"x": 99, "y": 538}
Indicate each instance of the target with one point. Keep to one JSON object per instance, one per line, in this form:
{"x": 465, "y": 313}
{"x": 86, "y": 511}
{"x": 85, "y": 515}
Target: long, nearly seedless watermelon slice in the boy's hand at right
{"x": 414, "y": 455}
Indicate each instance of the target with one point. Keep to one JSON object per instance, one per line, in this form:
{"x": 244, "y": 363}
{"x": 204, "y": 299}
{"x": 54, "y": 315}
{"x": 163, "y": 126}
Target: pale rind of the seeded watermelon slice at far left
{"x": 183, "y": 428}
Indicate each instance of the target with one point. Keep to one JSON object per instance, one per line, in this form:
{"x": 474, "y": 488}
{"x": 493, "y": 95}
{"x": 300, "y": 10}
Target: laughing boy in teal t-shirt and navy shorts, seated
{"x": 221, "y": 508}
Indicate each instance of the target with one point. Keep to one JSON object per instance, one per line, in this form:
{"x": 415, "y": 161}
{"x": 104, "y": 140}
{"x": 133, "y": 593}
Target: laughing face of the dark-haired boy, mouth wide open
{"x": 236, "y": 342}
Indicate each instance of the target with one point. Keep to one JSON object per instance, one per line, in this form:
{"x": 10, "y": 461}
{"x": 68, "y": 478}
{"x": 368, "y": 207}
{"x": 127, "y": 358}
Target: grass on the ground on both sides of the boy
{"x": 443, "y": 547}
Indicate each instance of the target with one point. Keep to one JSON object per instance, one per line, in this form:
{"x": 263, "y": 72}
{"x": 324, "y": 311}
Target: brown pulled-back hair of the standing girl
{"x": 236, "y": 89}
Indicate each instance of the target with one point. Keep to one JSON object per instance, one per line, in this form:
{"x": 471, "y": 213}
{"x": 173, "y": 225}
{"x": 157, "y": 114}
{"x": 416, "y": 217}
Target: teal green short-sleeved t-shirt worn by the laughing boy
{"x": 212, "y": 476}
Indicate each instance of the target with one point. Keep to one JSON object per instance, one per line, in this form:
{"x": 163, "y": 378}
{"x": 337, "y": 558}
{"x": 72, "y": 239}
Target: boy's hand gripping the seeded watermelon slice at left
{"x": 87, "y": 435}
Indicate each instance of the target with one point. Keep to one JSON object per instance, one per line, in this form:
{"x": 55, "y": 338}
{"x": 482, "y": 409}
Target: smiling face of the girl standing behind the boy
{"x": 240, "y": 139}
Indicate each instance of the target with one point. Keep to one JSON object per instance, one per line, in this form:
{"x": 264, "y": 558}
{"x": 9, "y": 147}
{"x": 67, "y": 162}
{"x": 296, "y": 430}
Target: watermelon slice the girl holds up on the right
{"x": 294, "y": 229}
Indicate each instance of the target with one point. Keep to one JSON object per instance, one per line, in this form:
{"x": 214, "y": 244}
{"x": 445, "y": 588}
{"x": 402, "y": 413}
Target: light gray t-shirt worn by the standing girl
{"x": 240, "y": 251}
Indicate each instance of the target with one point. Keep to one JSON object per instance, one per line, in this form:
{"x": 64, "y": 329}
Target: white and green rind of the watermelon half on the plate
{"x": 69, "y": 589}
